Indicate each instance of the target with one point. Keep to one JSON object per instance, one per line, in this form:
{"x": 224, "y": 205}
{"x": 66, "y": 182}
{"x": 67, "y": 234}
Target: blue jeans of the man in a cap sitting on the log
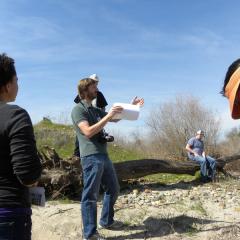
{"x": 207, "y": 166}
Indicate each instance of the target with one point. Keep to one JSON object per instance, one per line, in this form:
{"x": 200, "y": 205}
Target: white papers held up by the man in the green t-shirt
{"x": 130, "y": 111}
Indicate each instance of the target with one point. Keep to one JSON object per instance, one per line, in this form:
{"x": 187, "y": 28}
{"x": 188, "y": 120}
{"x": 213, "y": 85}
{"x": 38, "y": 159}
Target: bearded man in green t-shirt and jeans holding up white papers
{"x": 97, "y": 168}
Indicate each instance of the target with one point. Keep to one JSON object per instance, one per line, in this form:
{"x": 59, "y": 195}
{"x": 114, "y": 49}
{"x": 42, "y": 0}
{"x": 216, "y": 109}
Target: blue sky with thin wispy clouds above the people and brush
{"x": 150, "y": 48}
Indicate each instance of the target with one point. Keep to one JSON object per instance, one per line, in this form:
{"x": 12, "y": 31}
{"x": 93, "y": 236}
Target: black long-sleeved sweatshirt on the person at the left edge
{"x": 19, "y": 162}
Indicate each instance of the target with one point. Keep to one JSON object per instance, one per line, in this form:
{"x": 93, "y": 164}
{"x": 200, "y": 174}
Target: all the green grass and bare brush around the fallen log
{"x": 170, "y": 125}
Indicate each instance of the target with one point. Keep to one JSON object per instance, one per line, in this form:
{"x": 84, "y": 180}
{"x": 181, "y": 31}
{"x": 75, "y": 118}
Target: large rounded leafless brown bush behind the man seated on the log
{"x": 173, "y": 123}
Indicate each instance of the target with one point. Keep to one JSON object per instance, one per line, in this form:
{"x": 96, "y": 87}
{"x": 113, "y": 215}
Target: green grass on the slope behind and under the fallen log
{"x": 62, "y": 138}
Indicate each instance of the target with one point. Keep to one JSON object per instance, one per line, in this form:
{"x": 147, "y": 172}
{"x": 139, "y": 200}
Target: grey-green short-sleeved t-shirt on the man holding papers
{"x": 85, "y": 112}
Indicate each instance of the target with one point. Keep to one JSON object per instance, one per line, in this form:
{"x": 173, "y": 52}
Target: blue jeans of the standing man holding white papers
{"x": 98, "y": 169}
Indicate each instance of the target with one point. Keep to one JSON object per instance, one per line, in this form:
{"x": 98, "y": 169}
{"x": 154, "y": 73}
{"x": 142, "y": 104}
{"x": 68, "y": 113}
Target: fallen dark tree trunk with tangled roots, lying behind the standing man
{"x": 64, "y": 177}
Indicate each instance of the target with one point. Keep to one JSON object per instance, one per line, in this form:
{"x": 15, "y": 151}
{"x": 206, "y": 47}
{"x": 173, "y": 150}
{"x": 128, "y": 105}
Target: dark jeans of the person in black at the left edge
{"x": 15, "y": 228}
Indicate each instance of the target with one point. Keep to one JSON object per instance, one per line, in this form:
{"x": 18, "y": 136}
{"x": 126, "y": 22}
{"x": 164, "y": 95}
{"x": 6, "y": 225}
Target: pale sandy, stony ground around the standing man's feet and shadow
{"x": 172, "y": 212}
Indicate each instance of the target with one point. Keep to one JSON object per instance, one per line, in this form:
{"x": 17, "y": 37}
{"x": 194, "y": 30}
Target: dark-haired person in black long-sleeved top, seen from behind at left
{"x": 20, "y": 166}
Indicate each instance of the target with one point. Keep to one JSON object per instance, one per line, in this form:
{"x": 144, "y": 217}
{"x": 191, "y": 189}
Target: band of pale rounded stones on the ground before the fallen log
{"x": 184, "y": 192}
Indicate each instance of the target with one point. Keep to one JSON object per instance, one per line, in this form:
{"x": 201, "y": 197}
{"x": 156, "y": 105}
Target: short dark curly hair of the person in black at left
{"x": 7, "y": 69}
